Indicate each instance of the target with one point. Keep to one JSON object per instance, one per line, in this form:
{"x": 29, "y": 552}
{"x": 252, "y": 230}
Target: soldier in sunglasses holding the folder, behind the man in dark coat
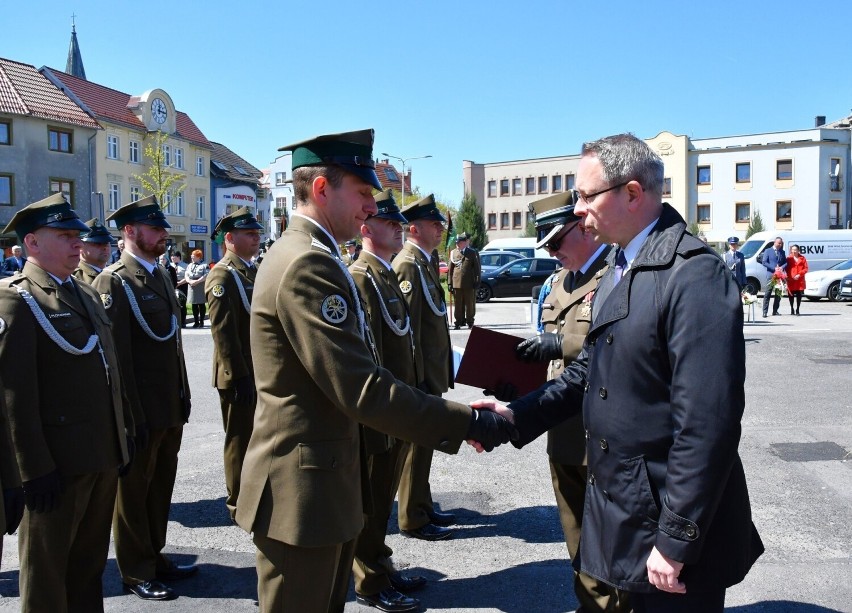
{"x": 566, "y": 314}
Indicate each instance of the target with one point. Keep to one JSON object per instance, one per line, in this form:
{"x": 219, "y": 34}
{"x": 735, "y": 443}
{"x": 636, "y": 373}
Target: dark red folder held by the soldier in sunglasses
{"x": 489, "y": 361}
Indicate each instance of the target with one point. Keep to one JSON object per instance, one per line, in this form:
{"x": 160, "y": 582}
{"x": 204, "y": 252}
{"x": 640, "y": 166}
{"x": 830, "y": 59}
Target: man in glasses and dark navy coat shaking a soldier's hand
{"x": 660, "y": 382}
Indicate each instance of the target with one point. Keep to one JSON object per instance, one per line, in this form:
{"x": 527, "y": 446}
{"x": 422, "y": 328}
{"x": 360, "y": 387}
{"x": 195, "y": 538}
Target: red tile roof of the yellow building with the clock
{"x": 113, "y": 105}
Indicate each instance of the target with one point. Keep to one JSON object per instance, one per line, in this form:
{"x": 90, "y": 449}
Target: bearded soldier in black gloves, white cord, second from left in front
{"x": 140, "y": 300}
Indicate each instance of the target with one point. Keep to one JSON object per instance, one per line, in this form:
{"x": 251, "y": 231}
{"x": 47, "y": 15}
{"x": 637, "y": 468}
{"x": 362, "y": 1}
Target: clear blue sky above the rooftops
{"x": 484, "y": 81}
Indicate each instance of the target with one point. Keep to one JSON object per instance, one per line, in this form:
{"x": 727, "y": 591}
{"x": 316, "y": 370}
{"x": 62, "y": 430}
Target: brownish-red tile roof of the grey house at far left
{"x": 25, "y": 91}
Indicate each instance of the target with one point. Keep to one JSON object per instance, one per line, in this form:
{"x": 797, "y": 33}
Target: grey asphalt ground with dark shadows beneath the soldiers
{"x": 507, "y": 553}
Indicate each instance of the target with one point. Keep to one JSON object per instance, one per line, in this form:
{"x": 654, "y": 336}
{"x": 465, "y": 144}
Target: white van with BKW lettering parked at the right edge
{"x": 822, "y": 248}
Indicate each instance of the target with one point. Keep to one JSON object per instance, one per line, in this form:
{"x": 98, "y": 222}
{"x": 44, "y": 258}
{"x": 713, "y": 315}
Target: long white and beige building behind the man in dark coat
{"x": 793, "y": 180}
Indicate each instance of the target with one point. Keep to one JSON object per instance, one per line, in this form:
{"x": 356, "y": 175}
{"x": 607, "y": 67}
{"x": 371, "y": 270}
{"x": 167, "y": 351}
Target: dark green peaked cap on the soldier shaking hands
{"x": 351, "y": 150}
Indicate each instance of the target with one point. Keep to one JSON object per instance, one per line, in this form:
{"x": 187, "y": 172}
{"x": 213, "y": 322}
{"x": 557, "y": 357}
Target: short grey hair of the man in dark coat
{"x": 625, "y": 158}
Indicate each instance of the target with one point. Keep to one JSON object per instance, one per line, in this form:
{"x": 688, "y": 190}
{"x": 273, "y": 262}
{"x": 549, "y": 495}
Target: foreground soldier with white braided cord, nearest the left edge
{"x": 54, "y": 334}
